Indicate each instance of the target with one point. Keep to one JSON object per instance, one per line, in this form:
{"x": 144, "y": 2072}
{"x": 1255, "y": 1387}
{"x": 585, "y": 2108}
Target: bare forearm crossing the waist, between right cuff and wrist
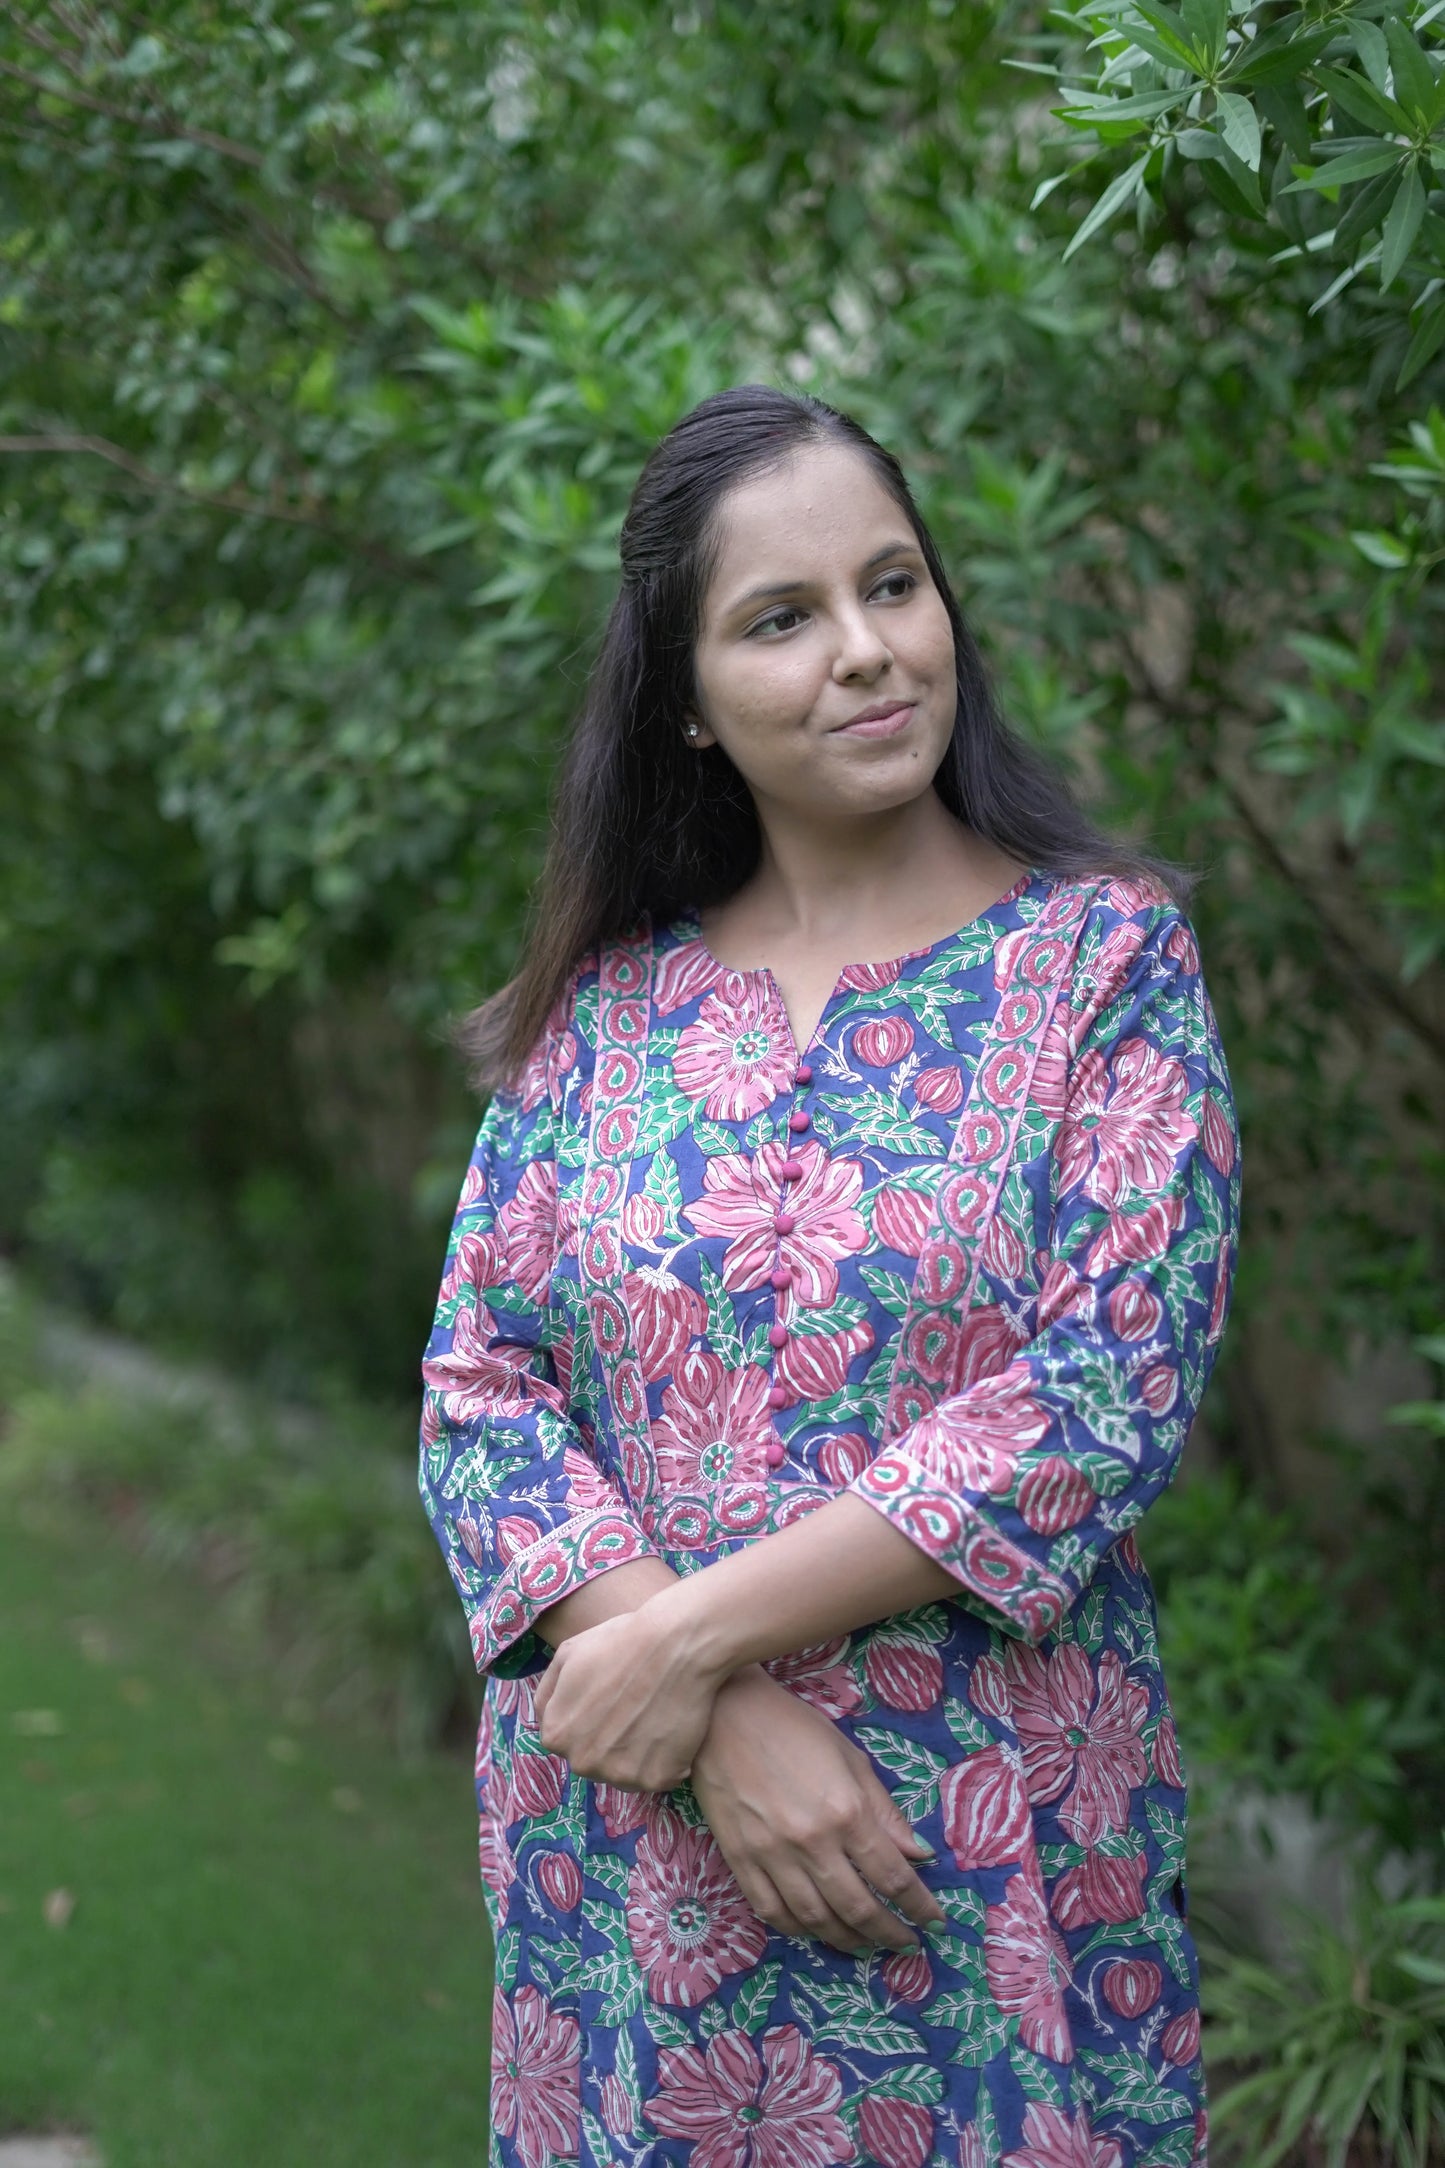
{"x": 835, "y": 1571}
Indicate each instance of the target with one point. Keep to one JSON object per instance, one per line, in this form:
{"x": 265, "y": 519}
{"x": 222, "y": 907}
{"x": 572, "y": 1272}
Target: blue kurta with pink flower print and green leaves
{"x": 969, "y": 1256}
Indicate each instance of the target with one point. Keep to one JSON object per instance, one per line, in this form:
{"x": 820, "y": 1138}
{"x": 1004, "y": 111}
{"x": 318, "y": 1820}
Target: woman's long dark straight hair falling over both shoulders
{"x": 642, "y": 825}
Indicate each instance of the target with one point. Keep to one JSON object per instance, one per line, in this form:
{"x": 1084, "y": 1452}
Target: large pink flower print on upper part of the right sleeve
{"x": 1125, "y": 1122}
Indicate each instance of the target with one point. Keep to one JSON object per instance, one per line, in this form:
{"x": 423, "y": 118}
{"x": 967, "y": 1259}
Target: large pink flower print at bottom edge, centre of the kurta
{"x": 746, "y": 2104}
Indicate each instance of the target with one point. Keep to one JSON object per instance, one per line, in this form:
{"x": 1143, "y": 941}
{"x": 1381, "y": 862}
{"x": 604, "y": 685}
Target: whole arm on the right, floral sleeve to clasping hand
{"x": 1011, "y": 1493}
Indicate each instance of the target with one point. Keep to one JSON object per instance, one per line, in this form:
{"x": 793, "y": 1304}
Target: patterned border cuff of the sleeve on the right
{"x": 1004, "y": 1582}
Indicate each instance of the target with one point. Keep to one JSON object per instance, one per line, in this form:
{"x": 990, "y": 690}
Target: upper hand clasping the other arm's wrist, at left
{"x": 625, "y": 1705}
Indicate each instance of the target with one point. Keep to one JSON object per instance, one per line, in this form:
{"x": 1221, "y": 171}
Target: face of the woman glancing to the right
{"x": 824, "y": 662}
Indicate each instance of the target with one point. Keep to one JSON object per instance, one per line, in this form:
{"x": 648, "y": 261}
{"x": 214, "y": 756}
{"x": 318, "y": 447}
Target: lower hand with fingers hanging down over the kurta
{"x": 805, "y": 1822}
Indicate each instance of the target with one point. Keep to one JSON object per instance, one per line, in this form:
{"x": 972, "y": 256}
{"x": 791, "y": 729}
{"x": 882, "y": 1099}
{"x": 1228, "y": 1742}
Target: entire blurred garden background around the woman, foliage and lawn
{"x": 330, "y": 344}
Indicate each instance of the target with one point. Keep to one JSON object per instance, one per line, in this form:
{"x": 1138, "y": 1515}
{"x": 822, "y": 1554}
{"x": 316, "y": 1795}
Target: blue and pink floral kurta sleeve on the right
{"x": 1026, "y": 1477}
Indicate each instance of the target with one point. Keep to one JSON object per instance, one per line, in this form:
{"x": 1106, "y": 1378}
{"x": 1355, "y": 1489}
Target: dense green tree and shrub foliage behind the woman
{"x": 333, "y": 339}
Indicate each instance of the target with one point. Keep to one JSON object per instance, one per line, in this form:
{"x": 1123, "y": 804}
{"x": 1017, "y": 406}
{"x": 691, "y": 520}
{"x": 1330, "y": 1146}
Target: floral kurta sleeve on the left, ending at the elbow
{"x": 515, "y": 1495}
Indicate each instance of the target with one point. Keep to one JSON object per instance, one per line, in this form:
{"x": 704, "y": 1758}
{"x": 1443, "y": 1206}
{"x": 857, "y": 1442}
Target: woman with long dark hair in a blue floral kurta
{"x": 833, "y": 1289}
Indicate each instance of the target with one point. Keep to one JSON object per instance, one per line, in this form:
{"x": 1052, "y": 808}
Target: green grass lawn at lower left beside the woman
{"x": 278, "y": 1954}
